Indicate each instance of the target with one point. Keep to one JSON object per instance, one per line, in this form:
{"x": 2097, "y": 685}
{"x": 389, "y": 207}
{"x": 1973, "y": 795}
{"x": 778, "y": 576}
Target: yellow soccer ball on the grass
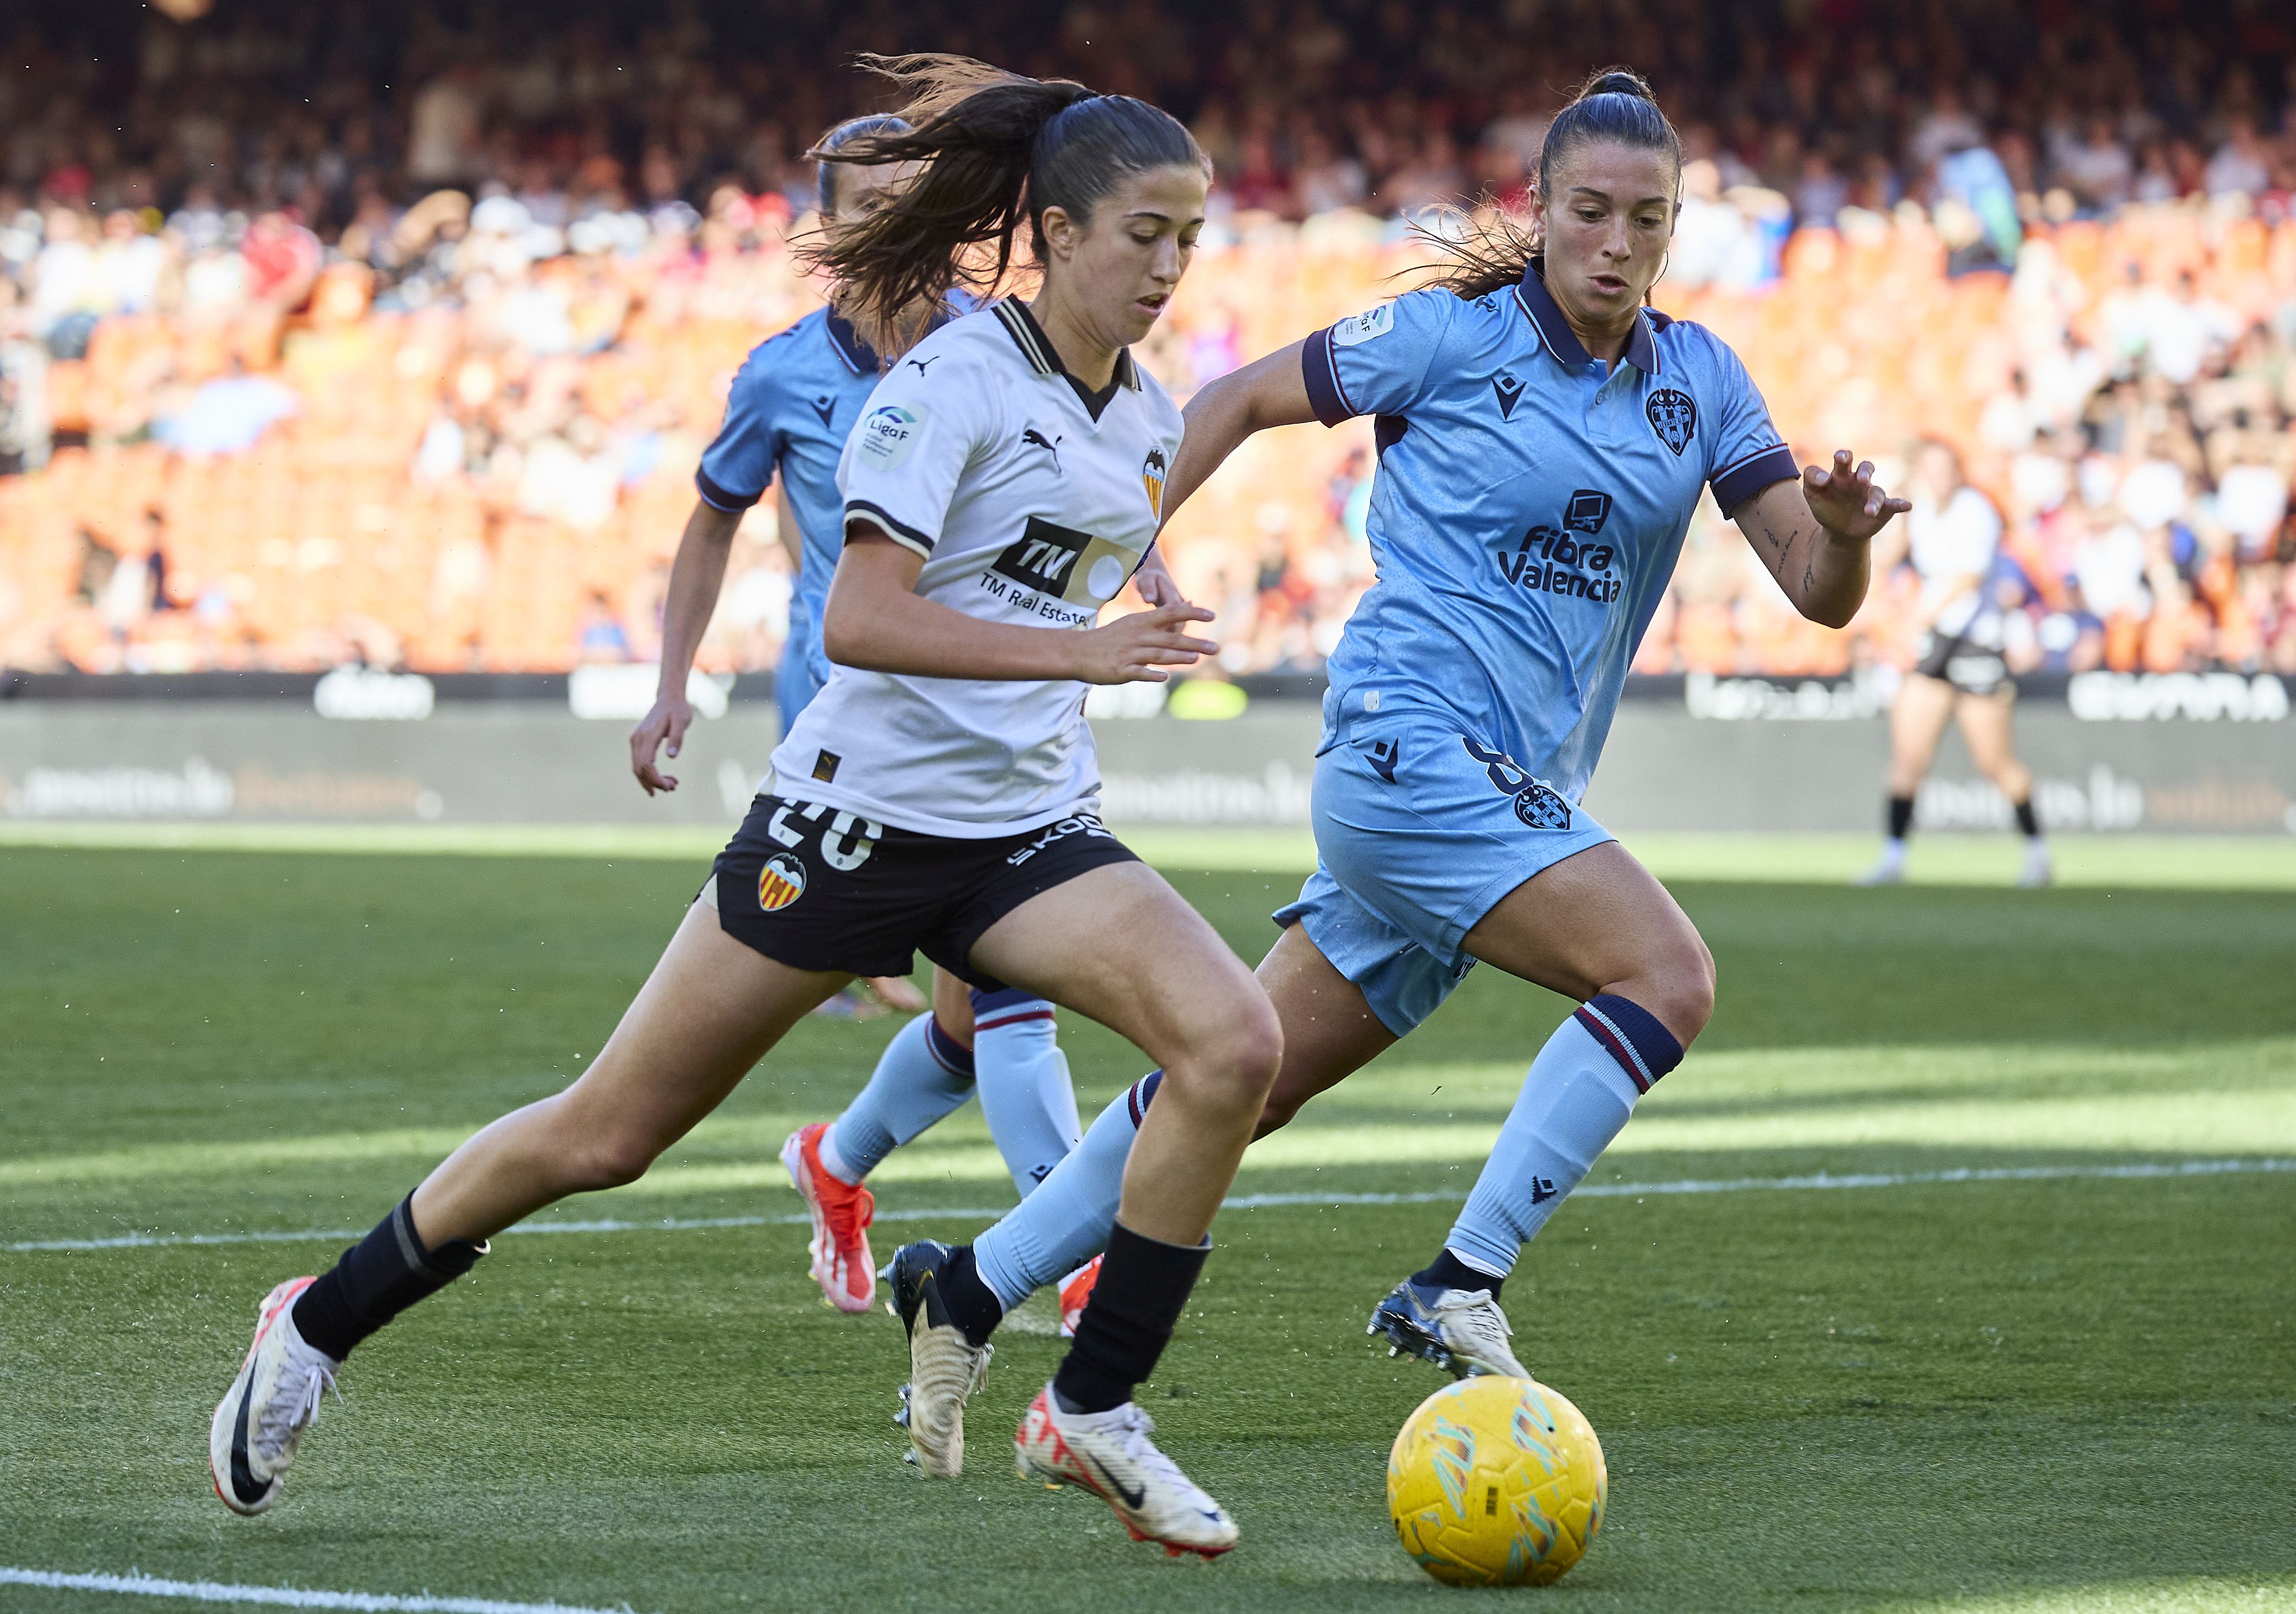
{"x": 1496, "y": 1482}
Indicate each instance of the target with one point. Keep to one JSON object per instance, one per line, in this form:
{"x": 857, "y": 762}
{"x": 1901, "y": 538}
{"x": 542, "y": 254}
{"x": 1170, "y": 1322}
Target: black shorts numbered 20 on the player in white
{"x": 816, "y": 887}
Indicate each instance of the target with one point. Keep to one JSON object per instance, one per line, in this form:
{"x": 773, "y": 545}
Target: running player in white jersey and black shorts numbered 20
{"x": 936, "y": 796}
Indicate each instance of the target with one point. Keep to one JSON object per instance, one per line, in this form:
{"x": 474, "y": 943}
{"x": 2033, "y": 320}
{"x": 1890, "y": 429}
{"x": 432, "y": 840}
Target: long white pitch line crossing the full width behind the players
{"x": 1262, "y": 1202}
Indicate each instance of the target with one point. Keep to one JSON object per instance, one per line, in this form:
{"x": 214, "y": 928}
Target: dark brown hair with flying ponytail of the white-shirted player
{"x": 998, "y": 150}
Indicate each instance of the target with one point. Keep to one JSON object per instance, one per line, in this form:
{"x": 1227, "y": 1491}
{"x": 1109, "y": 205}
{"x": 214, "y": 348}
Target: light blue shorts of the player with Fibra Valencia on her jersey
{"x": 1420, "y": 832}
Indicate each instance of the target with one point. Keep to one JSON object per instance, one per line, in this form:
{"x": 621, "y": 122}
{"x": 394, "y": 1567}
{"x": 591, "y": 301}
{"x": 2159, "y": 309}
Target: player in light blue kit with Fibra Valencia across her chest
{"x": 1544, "y": 440}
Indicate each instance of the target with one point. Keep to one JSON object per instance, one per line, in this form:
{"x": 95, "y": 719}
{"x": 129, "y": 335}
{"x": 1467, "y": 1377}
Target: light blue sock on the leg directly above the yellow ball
{"x": 1581, "y": 1092}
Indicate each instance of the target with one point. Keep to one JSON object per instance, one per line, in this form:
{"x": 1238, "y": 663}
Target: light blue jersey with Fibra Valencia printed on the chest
{"x": 1528, "y": 509}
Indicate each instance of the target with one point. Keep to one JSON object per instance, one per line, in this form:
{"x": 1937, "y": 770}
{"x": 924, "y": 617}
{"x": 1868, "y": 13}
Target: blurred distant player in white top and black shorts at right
{"x": 1953, "y": 538}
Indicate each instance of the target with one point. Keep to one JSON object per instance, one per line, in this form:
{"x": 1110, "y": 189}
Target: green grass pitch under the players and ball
{"x": 2065, "y": 1390}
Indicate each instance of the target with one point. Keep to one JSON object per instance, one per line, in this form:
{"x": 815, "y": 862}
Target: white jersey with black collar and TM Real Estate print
{"x": 1030, "y": 506}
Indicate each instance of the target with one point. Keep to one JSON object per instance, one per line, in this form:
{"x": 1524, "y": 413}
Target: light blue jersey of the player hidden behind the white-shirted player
{"x": 791, "y": 410}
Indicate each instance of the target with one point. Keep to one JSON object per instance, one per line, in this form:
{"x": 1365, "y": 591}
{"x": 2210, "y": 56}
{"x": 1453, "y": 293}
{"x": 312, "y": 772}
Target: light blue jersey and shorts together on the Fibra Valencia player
{"x": 1526, "y": 520}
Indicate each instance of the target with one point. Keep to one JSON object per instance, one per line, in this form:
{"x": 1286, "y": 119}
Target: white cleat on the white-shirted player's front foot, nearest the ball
{"x": 1112, "y": 1457}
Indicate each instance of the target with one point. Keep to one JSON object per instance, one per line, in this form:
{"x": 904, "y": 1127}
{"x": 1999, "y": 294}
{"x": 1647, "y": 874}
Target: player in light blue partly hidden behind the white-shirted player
{"x": 791, "y": 410}
